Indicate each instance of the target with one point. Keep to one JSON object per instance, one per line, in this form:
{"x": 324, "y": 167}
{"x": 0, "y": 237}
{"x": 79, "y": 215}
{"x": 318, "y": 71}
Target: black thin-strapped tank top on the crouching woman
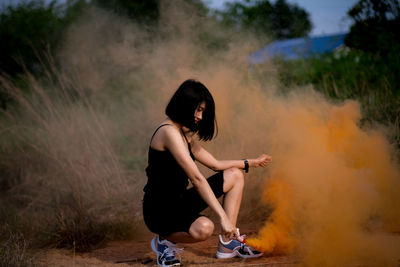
{"x": 164, "y": 175}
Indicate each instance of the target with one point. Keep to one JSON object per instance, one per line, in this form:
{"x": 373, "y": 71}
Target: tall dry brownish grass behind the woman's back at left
{"x": 61, "y": 172}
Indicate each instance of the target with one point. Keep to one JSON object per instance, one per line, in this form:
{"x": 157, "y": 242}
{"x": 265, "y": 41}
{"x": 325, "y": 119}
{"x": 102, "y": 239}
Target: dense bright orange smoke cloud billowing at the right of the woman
{"x": 334, "y": 186}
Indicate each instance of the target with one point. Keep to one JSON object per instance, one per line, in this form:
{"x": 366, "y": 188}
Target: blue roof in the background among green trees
{"x": 298, "y": 48}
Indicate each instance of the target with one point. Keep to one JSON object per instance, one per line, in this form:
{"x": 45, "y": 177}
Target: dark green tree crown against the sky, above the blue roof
{"x": 279, "y": 20}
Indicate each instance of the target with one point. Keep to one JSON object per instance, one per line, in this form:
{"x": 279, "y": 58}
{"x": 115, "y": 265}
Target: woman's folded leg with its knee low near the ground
{"x": 200, "y": 230}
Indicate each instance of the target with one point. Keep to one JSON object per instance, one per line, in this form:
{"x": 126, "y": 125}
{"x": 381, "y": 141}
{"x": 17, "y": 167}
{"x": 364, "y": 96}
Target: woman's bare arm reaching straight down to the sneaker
{"x": 173, "y": 141}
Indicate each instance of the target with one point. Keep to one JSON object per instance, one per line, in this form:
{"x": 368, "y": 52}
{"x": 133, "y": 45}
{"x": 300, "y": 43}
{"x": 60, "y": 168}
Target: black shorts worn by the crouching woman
{"x": 165, "y": 216}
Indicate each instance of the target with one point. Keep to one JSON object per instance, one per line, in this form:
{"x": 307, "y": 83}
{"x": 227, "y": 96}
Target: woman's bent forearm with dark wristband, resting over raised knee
{"x": 208, "y": 160}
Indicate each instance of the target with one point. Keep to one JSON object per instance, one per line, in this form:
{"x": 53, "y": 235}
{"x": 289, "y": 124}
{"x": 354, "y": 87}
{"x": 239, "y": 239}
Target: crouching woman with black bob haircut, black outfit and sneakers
{"x": 170, "y": 209}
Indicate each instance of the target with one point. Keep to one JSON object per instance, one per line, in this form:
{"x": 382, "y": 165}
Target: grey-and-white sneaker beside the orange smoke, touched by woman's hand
{"x": 235, "y": 248}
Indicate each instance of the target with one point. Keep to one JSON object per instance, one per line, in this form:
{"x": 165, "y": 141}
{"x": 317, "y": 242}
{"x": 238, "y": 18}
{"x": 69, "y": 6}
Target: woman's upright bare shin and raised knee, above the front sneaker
{"x": 233, "y": 189}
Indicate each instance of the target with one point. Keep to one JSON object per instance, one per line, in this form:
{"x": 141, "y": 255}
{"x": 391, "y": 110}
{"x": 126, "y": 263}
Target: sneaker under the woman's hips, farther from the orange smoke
{"x": 165, "y": 251}
